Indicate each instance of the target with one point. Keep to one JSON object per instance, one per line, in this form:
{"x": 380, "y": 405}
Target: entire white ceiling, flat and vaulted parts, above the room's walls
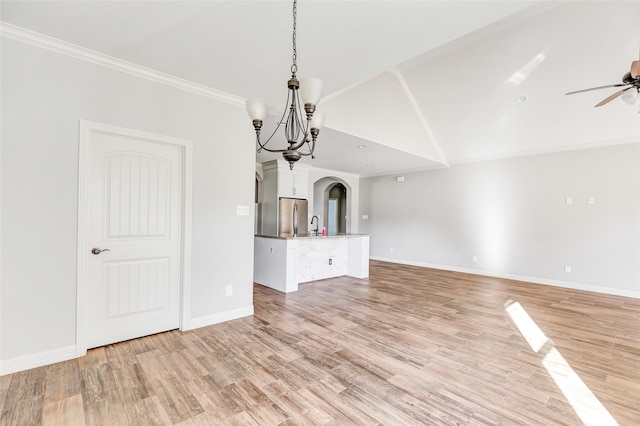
{"x": 421, "y": 84}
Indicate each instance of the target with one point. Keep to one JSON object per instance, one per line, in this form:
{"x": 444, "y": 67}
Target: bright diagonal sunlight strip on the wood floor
{"x": 585, "y": 404}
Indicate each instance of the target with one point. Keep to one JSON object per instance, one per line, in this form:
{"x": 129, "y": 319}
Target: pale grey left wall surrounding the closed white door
{"x": 44, "y": 95}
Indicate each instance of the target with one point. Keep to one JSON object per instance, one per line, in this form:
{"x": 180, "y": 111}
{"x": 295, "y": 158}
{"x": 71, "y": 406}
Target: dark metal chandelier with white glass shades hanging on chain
{"x": 300, "y": 127}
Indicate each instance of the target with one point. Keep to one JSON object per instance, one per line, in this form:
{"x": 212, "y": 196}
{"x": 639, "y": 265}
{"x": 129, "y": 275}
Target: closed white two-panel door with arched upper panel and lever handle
{"x": 134, "y": 228}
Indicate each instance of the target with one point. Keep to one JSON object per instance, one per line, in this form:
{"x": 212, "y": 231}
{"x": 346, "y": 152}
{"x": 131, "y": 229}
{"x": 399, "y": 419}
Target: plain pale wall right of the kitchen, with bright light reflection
{"x": 512, "y": 215}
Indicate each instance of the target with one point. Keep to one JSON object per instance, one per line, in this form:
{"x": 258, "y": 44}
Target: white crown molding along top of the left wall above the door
{"x": 33, "y": 38}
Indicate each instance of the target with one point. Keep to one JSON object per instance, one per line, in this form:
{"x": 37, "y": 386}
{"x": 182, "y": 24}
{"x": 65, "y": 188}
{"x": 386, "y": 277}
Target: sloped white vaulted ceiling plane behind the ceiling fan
{"x": 470, "y": 93}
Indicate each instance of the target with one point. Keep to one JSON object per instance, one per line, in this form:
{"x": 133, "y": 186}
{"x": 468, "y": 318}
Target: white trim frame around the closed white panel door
{"x": 86, "y": 129}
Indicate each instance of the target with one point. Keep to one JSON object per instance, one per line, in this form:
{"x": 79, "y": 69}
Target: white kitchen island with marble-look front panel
{"x": 282, "y": 262}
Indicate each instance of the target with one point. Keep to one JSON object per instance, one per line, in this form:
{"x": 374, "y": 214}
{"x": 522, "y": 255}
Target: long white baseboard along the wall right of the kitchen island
{"x": 535, "y": 280}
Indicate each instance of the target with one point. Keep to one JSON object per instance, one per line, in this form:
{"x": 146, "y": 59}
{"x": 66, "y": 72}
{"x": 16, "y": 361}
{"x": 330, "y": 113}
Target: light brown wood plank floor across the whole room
{"x": 408, "y": 346}
